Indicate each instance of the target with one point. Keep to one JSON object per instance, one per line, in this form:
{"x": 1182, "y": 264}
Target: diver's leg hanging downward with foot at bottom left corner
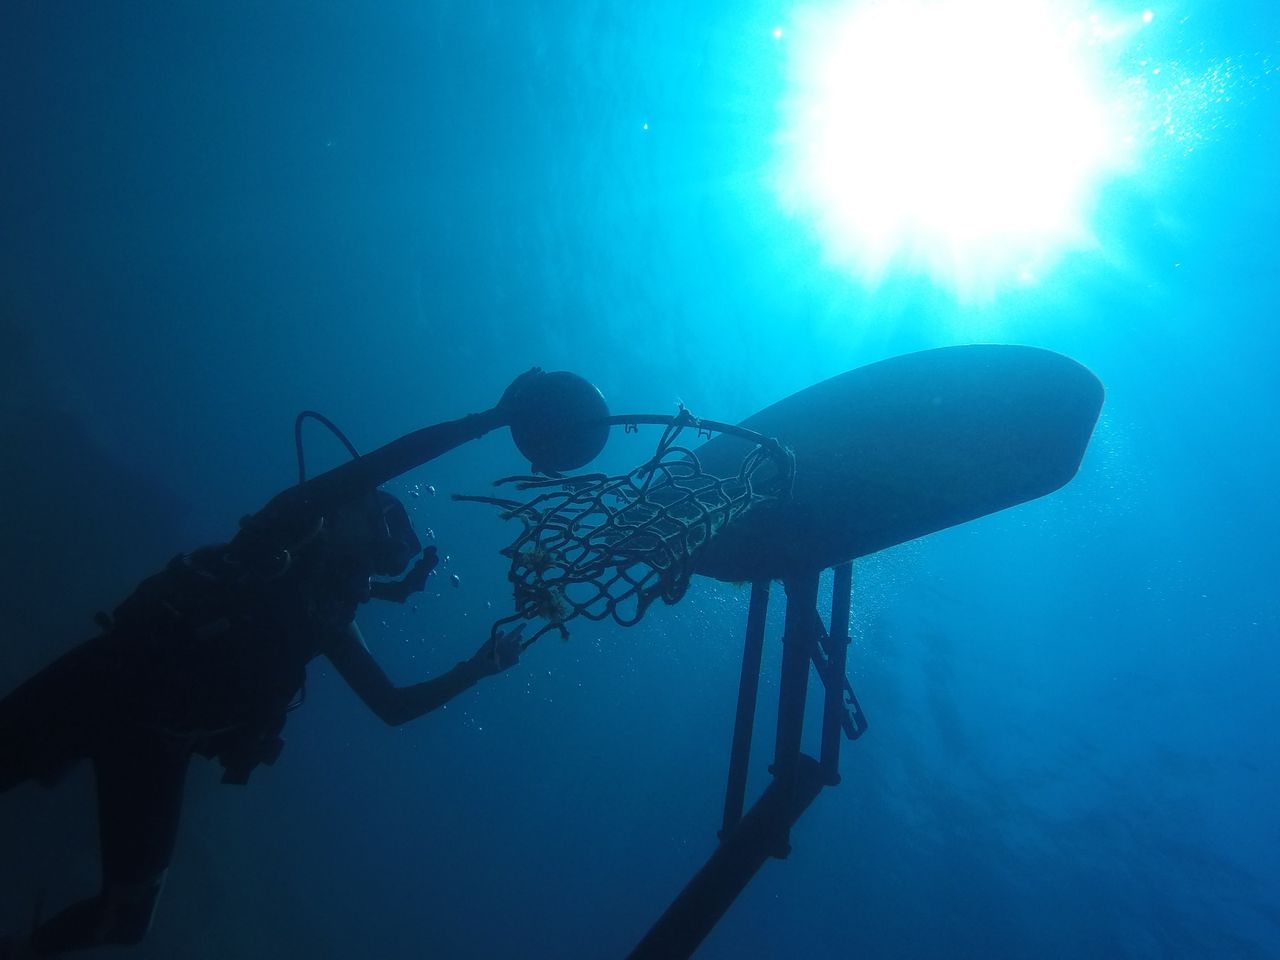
{"x": 140, "y": 801}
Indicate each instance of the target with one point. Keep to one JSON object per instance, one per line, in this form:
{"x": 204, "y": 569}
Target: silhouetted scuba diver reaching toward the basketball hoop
{"x": 209, "y": 656}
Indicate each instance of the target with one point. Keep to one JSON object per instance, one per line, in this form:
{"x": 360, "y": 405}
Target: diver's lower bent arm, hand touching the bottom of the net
{"x": 400, "y": 705}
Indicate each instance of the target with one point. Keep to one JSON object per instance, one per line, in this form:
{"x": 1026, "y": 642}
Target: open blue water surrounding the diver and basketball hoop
{"x": 220, "y": 214}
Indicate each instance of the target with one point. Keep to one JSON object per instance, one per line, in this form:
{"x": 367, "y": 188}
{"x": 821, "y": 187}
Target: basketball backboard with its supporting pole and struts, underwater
{"x": 884, "y": 455}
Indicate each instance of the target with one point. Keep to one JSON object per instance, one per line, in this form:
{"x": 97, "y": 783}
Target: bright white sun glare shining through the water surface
{"x": 959, "y": 139}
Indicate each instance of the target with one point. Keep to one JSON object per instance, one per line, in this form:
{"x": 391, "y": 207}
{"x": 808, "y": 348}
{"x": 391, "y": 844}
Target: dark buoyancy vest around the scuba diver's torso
{"x": 218, "y": 652}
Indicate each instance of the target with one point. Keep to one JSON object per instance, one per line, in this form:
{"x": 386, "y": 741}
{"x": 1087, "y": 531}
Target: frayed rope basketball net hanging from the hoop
{"x": 607, "y": 547}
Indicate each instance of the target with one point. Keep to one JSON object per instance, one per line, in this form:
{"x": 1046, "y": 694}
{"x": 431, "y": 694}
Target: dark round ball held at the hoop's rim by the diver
{"x": 560, "y": 423}
